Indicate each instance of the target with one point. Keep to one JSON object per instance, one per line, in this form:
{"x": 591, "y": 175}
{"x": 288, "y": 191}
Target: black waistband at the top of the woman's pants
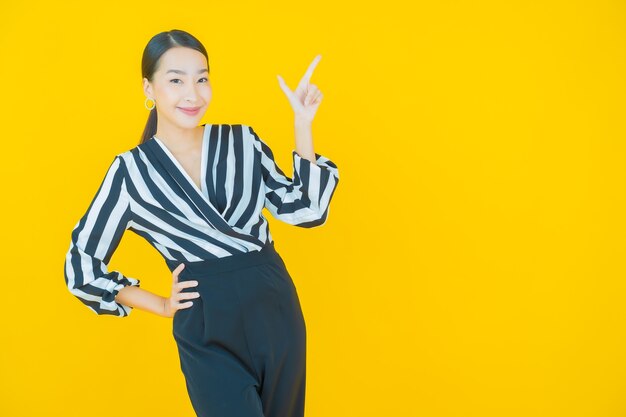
{"x": 194, "y": 269}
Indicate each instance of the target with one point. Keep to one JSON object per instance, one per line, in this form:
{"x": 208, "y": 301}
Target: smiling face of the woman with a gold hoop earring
{"x": 180, "y": 82}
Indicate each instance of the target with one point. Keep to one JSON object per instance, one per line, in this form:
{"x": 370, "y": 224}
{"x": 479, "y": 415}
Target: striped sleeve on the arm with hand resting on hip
{"x": 95, "y": 238}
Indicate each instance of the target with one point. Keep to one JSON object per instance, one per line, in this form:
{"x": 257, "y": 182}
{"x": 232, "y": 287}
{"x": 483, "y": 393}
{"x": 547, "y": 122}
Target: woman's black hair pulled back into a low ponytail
{"x": 156, "y": 47}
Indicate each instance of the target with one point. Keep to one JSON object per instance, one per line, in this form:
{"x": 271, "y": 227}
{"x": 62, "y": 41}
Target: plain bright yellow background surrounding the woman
{"x": 473, "y": 260}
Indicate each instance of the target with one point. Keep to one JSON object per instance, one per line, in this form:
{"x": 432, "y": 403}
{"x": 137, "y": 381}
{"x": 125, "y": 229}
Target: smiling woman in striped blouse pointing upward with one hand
{"x": 196, "y": 194}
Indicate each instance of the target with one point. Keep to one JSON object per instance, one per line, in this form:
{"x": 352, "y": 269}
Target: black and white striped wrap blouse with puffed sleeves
{"x": 146, "y": 190}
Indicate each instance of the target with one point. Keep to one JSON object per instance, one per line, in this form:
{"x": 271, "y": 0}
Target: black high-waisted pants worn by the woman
{"x": 242, "y": 344}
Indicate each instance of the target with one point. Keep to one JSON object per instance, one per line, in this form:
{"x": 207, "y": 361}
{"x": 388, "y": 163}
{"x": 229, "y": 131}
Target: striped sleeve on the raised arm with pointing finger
{"x": 303, "y": 201}
